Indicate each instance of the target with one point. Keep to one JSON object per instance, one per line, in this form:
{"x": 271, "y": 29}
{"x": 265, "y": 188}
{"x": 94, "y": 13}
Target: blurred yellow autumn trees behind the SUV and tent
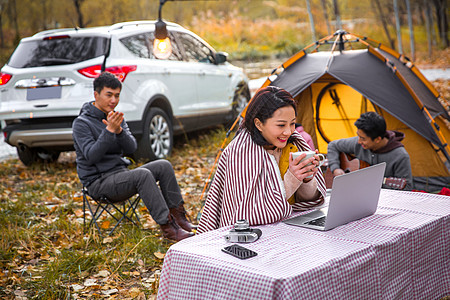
{"x": 249, "y": 30}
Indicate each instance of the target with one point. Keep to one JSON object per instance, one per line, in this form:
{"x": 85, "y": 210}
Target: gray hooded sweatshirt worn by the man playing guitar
{"x": 394, "y": 154}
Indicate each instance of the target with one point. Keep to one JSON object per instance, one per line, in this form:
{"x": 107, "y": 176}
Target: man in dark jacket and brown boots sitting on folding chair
{"x": 101, "y": 138}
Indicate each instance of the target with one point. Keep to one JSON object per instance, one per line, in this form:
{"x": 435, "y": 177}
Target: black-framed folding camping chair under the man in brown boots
{"x": 123, "y": 209}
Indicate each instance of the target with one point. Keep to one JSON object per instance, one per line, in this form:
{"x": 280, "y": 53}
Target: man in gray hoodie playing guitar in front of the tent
{"x": 373, "y": 144}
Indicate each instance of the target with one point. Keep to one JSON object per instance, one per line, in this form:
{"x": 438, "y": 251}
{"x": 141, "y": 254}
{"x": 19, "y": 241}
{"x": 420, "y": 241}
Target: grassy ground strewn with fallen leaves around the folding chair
{"x": 44, "y": 252}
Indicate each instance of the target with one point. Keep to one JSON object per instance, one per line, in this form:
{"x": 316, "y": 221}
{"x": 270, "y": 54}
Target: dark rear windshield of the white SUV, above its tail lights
{"x": 57, "y": 51}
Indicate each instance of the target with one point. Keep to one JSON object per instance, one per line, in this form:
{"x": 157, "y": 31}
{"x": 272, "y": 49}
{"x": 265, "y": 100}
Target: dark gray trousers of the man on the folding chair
{"x": 143, "y": 180}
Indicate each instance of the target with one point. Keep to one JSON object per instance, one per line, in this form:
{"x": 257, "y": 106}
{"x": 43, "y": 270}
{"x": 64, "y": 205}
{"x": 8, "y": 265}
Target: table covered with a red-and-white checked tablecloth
{"x": 401, "y": 252}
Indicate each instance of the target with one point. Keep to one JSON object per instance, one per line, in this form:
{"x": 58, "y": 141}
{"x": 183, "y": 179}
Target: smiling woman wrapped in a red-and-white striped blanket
{"x": 256, "y": 177}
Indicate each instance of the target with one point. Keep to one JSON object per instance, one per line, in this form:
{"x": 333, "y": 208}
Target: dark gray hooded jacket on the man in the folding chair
{"x": 99, "y": 151}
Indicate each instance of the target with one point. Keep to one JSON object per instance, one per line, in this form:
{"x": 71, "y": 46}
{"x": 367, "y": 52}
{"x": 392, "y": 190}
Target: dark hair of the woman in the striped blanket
{"x": 265, "y": 102}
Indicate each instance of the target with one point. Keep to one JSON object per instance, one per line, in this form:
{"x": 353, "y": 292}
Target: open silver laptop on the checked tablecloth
{"x": 353, "y": 196}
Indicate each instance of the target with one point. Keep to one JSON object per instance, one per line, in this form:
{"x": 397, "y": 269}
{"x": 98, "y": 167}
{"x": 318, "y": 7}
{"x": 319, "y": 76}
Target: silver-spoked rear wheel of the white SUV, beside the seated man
{"x": 157, "y": 138}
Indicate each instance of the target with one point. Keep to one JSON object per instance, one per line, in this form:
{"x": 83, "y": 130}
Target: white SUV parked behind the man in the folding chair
{"x": 50, "y": 75}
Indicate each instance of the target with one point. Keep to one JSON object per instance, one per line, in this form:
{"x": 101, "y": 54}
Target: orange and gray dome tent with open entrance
{"x": 339, "y": 77}
